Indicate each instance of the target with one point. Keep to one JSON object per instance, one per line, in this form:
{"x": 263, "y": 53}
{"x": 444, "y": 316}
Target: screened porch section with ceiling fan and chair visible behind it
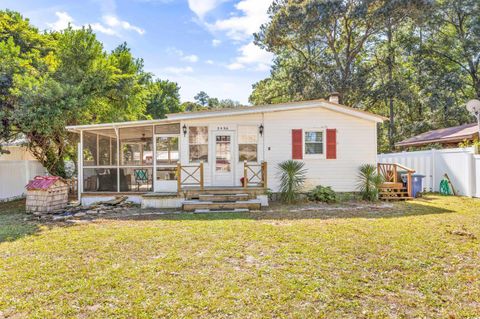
{"x": 136, "y": 159}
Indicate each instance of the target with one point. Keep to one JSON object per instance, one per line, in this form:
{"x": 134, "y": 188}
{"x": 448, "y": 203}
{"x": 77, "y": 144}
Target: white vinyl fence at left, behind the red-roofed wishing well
{"x": 14, "y": 175}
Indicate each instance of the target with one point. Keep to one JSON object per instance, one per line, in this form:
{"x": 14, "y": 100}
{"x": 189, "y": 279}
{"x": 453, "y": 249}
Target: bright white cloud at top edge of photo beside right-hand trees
{"x": 241, "y": 27}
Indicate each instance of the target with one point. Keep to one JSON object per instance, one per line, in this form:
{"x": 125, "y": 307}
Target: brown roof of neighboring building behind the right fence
{"x": 445, "y": 135}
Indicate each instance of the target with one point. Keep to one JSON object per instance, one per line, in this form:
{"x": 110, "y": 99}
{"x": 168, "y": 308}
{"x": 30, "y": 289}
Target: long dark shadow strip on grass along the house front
{"x": 13, "y": 225}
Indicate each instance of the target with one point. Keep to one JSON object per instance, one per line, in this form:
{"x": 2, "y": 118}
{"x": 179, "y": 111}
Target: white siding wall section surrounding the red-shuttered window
{"x": 356, "y": 145}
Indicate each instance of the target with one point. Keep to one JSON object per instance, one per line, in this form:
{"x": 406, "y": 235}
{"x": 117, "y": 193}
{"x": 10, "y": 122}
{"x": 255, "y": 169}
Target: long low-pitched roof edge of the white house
{"x": 175, "y": 117}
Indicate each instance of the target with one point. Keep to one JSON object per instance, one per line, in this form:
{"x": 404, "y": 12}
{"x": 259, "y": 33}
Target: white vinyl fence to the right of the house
{"x": 461, "y": 165}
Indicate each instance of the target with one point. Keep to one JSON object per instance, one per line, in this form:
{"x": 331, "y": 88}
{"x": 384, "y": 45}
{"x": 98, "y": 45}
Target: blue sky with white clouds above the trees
{"x": 200, "y": 44}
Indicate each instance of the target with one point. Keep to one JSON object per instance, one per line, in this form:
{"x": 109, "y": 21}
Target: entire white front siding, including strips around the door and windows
{"x": 356, "y": 145}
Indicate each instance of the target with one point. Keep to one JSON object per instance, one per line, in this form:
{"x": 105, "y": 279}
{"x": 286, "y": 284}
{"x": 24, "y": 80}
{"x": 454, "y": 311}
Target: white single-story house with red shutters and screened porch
{"x": 227, "y": 149}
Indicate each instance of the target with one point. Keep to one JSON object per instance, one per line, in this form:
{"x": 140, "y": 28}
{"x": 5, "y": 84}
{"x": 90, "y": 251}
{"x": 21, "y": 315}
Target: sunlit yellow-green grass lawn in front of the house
{"x": 419, "y": 259}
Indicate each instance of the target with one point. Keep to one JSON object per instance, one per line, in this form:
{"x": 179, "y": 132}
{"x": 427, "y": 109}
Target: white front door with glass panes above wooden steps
{"x": 223, "y": 162}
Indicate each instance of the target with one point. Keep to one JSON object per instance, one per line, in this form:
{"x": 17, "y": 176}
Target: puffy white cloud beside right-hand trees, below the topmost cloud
{"x": 252, "y": 56}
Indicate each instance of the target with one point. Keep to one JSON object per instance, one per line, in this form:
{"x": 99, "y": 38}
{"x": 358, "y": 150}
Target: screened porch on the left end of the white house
{"x": 124, "y": 159}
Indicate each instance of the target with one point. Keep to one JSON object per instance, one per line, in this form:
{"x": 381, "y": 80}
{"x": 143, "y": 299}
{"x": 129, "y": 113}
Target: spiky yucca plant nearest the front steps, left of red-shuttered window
{"x": 292, "y": 177}
